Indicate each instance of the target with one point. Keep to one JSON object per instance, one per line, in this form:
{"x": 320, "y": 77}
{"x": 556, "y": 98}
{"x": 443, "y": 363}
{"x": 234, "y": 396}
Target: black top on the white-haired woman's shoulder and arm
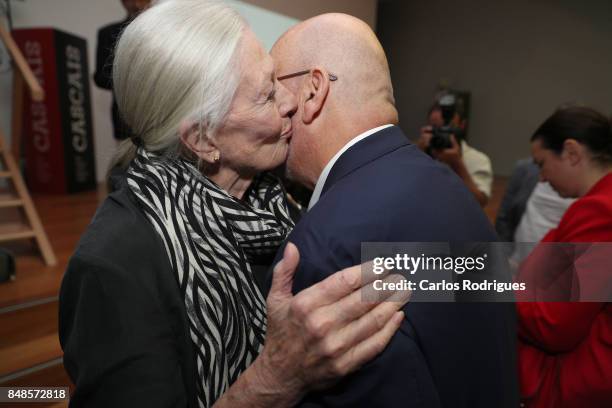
{"x": 122, "y": 321}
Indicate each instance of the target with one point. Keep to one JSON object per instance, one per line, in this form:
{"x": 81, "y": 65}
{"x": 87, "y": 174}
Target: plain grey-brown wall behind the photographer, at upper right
{"x": 520, "y": 59}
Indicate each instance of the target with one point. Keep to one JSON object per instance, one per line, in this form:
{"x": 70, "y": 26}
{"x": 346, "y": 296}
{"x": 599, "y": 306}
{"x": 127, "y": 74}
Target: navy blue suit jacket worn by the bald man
{"x": 384, "y": 189}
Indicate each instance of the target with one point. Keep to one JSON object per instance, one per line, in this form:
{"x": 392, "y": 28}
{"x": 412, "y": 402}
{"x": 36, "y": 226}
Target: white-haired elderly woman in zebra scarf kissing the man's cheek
{"x": 159, "y": 305}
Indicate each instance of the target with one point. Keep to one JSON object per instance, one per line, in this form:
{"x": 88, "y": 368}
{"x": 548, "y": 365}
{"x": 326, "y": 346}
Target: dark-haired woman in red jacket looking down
{"x": 565, "y": 349}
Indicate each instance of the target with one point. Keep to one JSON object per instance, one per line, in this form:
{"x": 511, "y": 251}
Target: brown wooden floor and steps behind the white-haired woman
{"x": 30, "y": 354}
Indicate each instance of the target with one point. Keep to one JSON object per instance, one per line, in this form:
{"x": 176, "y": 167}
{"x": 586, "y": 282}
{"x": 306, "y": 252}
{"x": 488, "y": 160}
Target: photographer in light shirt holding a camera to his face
{"x": 443, "y": 139}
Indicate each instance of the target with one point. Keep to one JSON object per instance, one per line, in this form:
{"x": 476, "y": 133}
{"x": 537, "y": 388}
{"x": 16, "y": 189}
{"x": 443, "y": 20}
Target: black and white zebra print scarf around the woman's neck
{"x": 211, "y": 239}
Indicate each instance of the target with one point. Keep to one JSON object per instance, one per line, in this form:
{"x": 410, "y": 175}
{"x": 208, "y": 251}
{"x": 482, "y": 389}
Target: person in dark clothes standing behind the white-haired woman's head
{"x": 107, "y": 38}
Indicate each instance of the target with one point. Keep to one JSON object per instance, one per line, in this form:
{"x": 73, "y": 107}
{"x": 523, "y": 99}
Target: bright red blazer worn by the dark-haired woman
{"x": 565, "y": 349}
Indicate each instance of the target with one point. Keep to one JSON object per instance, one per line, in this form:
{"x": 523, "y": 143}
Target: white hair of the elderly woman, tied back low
{"x": 176, "y": 61}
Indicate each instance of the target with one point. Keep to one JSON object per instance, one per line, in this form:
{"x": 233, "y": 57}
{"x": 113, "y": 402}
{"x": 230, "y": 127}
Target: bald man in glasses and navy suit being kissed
{"x": 371, "y": 185}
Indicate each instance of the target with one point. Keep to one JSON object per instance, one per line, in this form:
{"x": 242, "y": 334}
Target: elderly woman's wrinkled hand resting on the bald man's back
{"x": 324, "y": 332}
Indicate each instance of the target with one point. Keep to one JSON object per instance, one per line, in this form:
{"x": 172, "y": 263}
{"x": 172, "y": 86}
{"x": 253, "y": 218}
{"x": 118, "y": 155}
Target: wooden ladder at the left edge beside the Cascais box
{"x": 9, "y": 171}
